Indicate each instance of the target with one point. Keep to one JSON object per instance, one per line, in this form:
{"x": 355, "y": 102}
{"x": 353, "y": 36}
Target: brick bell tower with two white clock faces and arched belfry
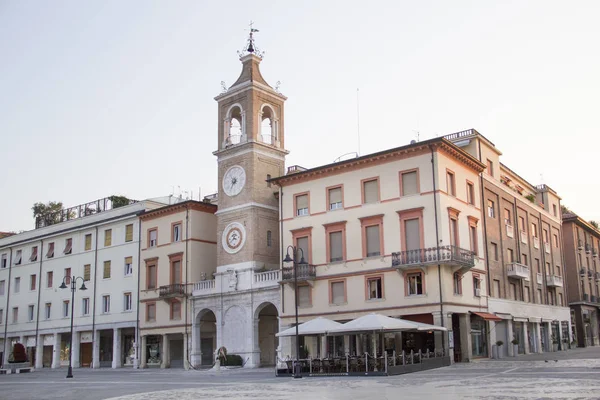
{"x": 250, "y": 151}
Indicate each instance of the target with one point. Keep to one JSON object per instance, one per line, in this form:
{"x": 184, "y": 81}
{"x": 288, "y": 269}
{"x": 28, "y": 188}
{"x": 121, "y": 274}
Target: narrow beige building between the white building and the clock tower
{"x": 177, "y": 248}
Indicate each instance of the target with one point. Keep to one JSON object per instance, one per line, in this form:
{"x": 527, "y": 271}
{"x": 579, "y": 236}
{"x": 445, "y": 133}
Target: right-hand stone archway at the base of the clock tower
{"x": 268, "y": 325}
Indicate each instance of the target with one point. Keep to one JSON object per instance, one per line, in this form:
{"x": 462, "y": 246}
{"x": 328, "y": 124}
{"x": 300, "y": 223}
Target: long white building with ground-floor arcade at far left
{"x": 98, "y": 242}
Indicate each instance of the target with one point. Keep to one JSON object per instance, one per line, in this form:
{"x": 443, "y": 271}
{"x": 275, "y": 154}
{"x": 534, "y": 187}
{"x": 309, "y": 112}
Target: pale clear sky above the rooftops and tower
{"x": 116, "y": 97}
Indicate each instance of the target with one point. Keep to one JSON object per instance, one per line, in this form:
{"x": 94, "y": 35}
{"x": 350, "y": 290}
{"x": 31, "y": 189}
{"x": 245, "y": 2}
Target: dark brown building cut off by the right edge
{"x": 581, "y": 242}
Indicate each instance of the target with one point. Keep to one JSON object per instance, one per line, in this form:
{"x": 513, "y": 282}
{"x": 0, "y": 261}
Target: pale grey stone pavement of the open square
{"x": 574, "y": 378}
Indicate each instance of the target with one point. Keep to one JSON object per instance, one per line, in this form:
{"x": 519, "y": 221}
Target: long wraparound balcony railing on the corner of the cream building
{"x": 431, "y": 255}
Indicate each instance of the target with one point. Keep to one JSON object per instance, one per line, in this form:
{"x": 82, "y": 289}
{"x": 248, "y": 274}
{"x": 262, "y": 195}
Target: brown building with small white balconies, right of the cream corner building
{"x": 523, "y": 253}
